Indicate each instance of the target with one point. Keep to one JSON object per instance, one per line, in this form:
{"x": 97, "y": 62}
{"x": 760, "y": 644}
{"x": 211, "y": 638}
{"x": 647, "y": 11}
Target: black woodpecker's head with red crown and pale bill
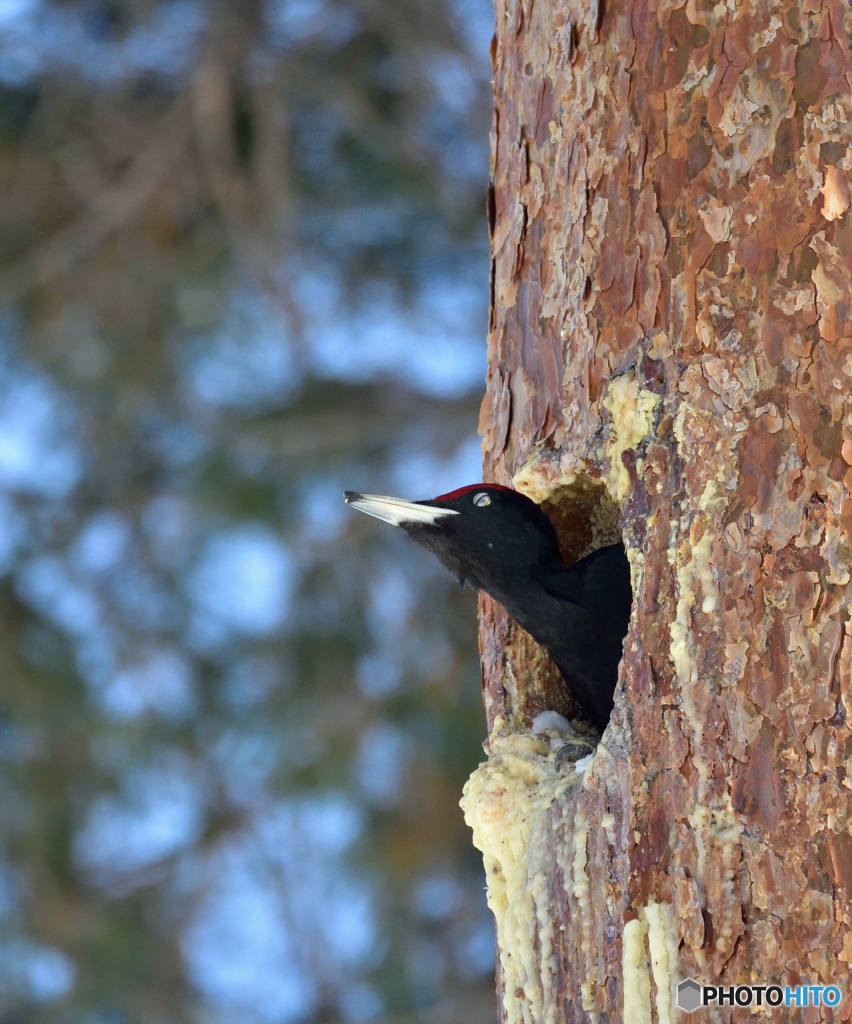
{"x": 488, "y": 536}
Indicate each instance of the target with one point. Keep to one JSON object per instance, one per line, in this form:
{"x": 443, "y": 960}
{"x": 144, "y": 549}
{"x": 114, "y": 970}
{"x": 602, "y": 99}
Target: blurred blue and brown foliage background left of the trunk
{"x": 243, "y": 267}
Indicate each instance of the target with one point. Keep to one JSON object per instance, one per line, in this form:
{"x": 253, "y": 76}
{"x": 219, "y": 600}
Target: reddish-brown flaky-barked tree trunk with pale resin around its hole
{"x": 670, "y": 354}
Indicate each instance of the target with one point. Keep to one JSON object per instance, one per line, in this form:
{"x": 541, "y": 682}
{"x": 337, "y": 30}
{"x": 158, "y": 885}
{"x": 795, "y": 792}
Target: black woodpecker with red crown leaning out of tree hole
{"x": 497, "y": 540}
